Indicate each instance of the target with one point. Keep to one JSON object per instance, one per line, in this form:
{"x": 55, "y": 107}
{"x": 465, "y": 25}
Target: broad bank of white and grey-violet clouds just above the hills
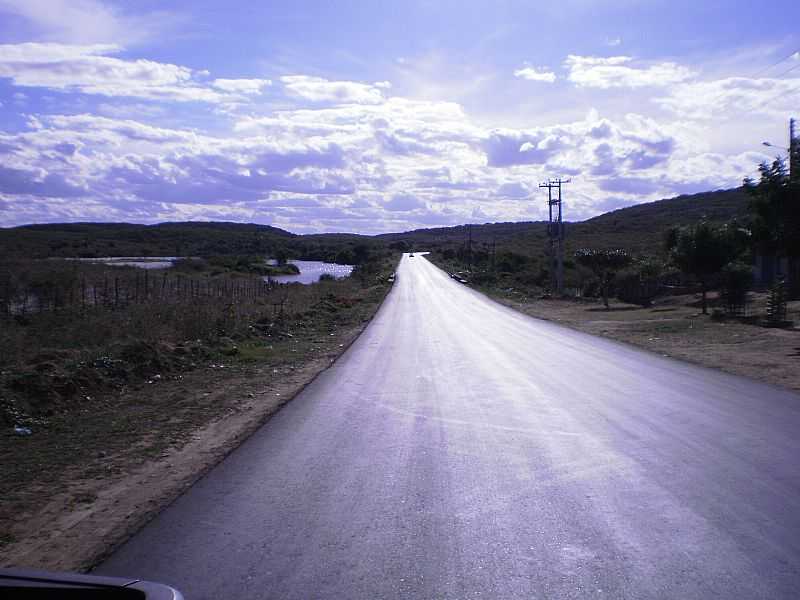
{"x": 345, "y": 156}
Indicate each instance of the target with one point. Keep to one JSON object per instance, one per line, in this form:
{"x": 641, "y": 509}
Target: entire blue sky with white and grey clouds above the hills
{"x": 383, "y": 116}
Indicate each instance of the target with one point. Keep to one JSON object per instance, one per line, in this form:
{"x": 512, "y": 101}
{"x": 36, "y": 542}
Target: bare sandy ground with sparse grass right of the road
{"x": 675, "y": 327}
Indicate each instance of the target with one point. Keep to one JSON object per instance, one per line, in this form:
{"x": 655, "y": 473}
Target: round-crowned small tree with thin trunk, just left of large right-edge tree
{"x": 703, "y": 250}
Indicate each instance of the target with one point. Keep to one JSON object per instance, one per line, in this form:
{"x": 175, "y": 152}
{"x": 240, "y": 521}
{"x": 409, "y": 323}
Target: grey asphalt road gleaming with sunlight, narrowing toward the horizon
{"x": 461, "y": 450}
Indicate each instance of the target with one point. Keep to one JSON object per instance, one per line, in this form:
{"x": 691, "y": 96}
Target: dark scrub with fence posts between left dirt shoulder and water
{"x": 73, "y": 329}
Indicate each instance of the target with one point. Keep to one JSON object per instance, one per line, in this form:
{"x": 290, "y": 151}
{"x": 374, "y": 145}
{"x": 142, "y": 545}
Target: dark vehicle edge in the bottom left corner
{"x": 24, "y": 584}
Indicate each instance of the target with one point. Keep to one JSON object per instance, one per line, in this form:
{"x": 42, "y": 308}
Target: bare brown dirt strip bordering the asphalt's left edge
{"x": 69, "y": 523}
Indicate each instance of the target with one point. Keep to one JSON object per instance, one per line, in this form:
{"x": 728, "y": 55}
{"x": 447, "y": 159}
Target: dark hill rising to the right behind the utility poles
{"x": 639, "y": 229}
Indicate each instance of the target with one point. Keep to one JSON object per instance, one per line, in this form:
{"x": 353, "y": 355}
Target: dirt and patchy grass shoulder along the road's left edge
{"x": 79, "y": 486}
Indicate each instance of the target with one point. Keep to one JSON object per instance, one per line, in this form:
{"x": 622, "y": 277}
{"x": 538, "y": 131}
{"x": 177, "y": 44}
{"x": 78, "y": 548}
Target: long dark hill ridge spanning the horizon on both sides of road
{"x": 639, "y": 229}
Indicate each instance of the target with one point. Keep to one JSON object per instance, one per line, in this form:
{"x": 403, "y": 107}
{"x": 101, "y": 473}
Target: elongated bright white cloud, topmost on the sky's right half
{"x": 615, "y": 71}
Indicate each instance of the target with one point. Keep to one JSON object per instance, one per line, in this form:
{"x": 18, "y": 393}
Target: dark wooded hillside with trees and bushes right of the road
{"x": 687, "y": 245}
